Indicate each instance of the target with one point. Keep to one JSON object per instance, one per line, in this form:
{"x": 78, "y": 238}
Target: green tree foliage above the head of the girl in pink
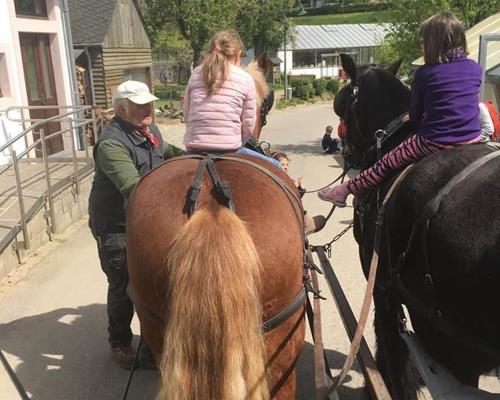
{"x": 259, "y": 22}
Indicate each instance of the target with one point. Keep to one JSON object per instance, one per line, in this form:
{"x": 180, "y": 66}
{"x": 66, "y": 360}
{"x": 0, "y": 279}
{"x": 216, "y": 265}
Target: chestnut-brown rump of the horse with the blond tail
{"x": 157, "y": 211}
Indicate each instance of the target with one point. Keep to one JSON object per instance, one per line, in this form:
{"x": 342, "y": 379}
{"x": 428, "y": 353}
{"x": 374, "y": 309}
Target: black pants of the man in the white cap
{"x": 111, "y": 248}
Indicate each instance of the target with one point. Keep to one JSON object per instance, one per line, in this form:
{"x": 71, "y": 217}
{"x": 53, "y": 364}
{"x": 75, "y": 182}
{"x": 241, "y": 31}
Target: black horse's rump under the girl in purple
{"x": 463, "y": 242}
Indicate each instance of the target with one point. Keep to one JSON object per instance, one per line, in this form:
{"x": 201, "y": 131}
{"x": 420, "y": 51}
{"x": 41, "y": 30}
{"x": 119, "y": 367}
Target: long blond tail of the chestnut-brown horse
{"x": 213, "y": 346}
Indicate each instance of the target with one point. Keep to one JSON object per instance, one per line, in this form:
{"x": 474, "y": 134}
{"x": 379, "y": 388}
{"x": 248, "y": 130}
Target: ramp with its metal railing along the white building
{"x": 45, "y": 176}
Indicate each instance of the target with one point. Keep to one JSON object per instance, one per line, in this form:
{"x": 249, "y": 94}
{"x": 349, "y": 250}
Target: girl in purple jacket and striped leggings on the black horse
{"x": 443, "y": 120}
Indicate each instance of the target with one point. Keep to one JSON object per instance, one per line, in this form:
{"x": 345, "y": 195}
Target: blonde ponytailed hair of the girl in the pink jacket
{"x": 223, "y": 46}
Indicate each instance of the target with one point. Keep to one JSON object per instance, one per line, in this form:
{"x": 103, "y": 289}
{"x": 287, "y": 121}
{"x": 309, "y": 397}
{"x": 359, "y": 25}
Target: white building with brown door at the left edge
{"x": 33, "y": 66}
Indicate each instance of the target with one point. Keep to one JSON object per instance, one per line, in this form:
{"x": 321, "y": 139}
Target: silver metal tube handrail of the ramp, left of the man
{"x": 74, "y": 123}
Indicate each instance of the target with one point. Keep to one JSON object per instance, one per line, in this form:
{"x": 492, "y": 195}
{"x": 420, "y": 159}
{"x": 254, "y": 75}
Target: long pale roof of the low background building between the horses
{"x": 312, "y": 37}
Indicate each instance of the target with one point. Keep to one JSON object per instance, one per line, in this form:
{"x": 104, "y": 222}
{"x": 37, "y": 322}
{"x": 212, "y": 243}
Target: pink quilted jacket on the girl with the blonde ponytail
{"x": 223, "y": 121}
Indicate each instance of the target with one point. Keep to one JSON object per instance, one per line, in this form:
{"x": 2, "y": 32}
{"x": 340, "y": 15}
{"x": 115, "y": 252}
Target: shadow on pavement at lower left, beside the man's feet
{"x": 64, "y": 354}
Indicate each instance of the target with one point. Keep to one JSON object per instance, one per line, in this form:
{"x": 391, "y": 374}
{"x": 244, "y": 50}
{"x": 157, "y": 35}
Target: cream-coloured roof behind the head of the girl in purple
{"x": 487, "y": 26}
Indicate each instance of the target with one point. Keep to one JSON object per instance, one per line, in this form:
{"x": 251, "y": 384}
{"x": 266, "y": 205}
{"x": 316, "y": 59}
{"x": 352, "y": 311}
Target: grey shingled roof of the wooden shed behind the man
{"x": 90, "y": 20}
